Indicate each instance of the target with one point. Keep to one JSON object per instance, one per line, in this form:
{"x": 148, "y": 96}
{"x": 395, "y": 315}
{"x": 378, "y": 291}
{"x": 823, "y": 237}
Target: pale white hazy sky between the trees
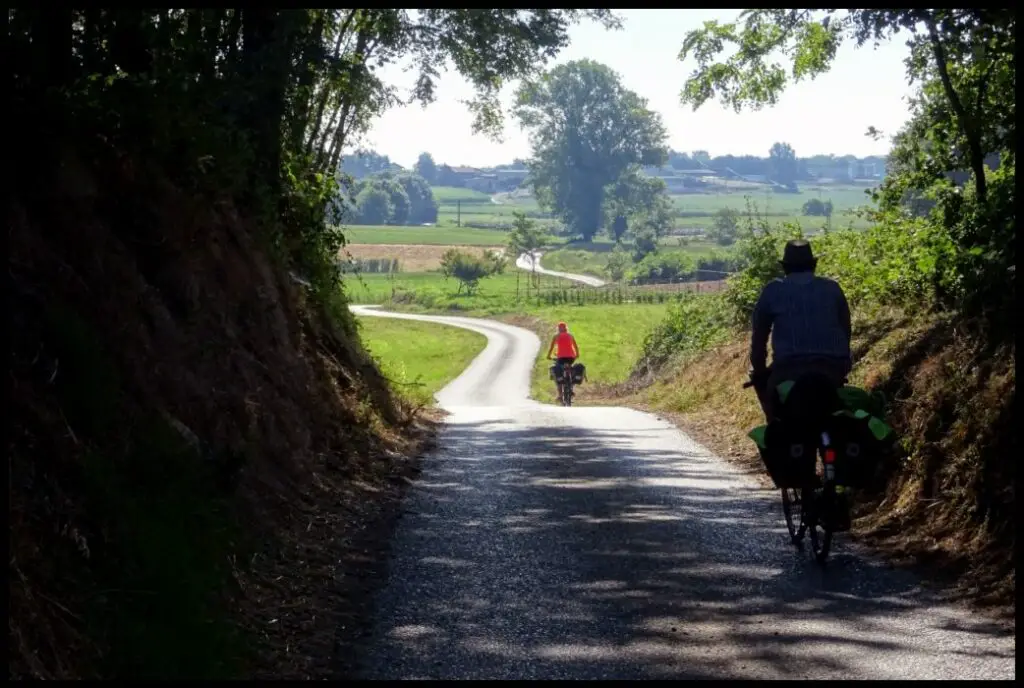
{"x": 830, "y": 115}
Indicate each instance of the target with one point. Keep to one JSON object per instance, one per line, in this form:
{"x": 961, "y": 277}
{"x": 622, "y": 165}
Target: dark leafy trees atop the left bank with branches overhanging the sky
{"x": 258, "y": 105}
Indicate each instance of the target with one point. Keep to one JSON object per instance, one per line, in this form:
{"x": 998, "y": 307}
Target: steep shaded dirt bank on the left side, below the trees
{"x": 200, "y": 450}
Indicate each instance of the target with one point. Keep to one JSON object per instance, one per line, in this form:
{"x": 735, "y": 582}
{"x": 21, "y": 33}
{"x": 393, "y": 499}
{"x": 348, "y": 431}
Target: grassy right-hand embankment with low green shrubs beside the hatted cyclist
{"x": 945, "y": 501}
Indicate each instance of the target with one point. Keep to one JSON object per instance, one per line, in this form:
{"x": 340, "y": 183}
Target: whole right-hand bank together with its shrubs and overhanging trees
{"x": 933, "y": 289}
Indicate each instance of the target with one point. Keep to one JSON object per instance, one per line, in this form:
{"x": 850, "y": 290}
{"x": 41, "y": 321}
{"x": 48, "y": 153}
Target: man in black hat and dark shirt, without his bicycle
{"x": 808, "y": 319}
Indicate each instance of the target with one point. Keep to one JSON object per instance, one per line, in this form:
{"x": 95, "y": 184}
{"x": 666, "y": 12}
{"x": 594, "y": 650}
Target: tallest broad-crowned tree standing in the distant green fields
{"x": 587, "y": 131}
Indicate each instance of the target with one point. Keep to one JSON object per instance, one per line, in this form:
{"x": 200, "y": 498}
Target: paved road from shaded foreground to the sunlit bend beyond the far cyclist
{"x": 596, "y": 543}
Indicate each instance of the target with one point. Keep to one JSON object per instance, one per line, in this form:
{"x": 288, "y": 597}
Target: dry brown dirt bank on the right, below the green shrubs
{"x": 946, "y": 502}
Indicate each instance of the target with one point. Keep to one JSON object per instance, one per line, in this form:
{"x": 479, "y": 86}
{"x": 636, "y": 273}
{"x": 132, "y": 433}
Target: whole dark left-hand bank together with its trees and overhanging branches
{"x": 203, "y": 457}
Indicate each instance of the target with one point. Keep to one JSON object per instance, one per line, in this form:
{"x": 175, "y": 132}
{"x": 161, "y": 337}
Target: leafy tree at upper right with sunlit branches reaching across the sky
{"x": 964, "y": 64}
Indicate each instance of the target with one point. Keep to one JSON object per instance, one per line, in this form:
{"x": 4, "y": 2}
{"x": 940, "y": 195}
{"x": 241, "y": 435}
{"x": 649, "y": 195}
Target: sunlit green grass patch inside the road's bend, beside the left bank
{"x": 419, "y": 359}
